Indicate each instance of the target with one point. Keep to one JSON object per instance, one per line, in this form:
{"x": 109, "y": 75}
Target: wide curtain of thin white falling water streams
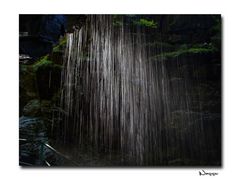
{"x": 118, "y": 100}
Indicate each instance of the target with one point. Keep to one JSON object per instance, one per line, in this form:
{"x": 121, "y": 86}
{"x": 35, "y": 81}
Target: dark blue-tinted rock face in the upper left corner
{"x": 43, "y": 31}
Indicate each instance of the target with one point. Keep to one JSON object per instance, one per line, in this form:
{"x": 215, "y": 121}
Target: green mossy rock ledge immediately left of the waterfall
{"x": 40, "y": 83}
